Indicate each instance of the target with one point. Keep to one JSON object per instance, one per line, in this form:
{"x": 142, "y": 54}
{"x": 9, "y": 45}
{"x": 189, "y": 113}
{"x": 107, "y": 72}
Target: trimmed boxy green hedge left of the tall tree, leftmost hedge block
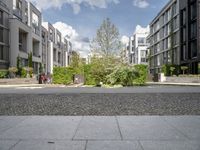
{"x": 63, "y": 75}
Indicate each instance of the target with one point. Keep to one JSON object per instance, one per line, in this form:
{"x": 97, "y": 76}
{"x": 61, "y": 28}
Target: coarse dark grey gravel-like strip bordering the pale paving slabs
{"x": 100, "y": 104}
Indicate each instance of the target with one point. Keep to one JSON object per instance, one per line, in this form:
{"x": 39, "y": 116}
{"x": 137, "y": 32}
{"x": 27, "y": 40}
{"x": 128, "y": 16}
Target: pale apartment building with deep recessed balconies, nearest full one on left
{"x": 25, "y": 34}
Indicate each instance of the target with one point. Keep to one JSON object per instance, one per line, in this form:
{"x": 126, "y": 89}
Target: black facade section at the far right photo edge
{"x": 190, "y": 35}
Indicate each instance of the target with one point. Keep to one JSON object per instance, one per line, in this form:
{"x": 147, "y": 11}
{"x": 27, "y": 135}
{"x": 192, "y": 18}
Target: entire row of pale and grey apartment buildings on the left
{"x": 22, "y": 33}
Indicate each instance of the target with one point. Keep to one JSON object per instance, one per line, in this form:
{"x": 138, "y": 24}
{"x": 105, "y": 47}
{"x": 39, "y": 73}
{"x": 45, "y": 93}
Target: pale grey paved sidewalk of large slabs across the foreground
{"x": 100, "y": 133}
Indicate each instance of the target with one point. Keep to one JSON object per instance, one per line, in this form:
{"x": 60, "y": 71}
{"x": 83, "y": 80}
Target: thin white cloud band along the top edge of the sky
{"x": 75, "y": 4}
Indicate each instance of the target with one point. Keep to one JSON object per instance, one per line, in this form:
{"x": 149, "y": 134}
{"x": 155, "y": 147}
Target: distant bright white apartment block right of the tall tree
{"x": 138, "y": 46}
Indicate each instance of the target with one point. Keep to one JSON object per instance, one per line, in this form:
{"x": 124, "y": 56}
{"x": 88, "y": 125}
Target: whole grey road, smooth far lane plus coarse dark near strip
{"x": 150, "y": 100}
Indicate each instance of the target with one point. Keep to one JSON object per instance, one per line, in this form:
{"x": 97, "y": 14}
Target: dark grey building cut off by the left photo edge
{"x": 5, "y": 14}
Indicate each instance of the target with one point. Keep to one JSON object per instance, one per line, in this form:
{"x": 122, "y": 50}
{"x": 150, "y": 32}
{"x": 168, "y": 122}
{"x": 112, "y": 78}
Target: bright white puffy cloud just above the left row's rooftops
{"x": 82, "y": 45}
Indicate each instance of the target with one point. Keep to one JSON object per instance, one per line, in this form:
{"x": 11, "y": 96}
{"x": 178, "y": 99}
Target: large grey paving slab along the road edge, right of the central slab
{"x": 147, "y": 128}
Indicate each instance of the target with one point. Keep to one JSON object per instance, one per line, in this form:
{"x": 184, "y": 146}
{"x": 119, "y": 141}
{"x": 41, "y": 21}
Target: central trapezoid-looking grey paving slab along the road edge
{"x": 97, "y": 128}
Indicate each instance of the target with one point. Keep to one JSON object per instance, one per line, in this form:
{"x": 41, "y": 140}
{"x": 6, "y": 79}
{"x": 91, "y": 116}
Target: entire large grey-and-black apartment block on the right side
{"x": 175, "y": 37}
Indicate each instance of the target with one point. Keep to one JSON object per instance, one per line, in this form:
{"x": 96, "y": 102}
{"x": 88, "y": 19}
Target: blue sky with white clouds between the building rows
{"x": 80, "y": 19}
